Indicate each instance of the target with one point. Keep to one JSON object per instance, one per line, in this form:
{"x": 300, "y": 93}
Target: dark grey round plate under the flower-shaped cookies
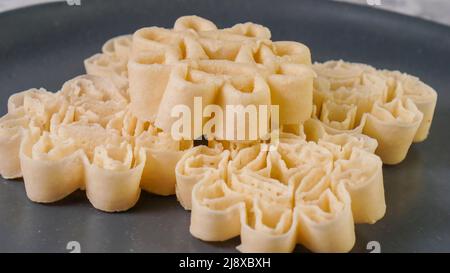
{"x": 46, "y": 45}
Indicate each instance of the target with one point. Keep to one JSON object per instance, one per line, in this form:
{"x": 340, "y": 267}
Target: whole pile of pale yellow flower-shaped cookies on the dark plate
{"x": 109, "y": 132}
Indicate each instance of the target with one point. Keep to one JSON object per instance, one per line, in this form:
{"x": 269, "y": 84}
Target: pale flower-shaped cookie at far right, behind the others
{"x": 394, "y": 108}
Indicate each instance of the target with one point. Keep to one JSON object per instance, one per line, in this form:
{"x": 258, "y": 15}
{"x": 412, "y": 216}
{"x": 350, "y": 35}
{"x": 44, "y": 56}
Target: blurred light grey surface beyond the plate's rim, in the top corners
{"x": 435, "y": 10}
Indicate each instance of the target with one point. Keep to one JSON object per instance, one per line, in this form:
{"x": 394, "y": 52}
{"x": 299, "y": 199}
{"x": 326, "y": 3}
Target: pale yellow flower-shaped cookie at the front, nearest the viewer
{"x": 302, "y": 192}
